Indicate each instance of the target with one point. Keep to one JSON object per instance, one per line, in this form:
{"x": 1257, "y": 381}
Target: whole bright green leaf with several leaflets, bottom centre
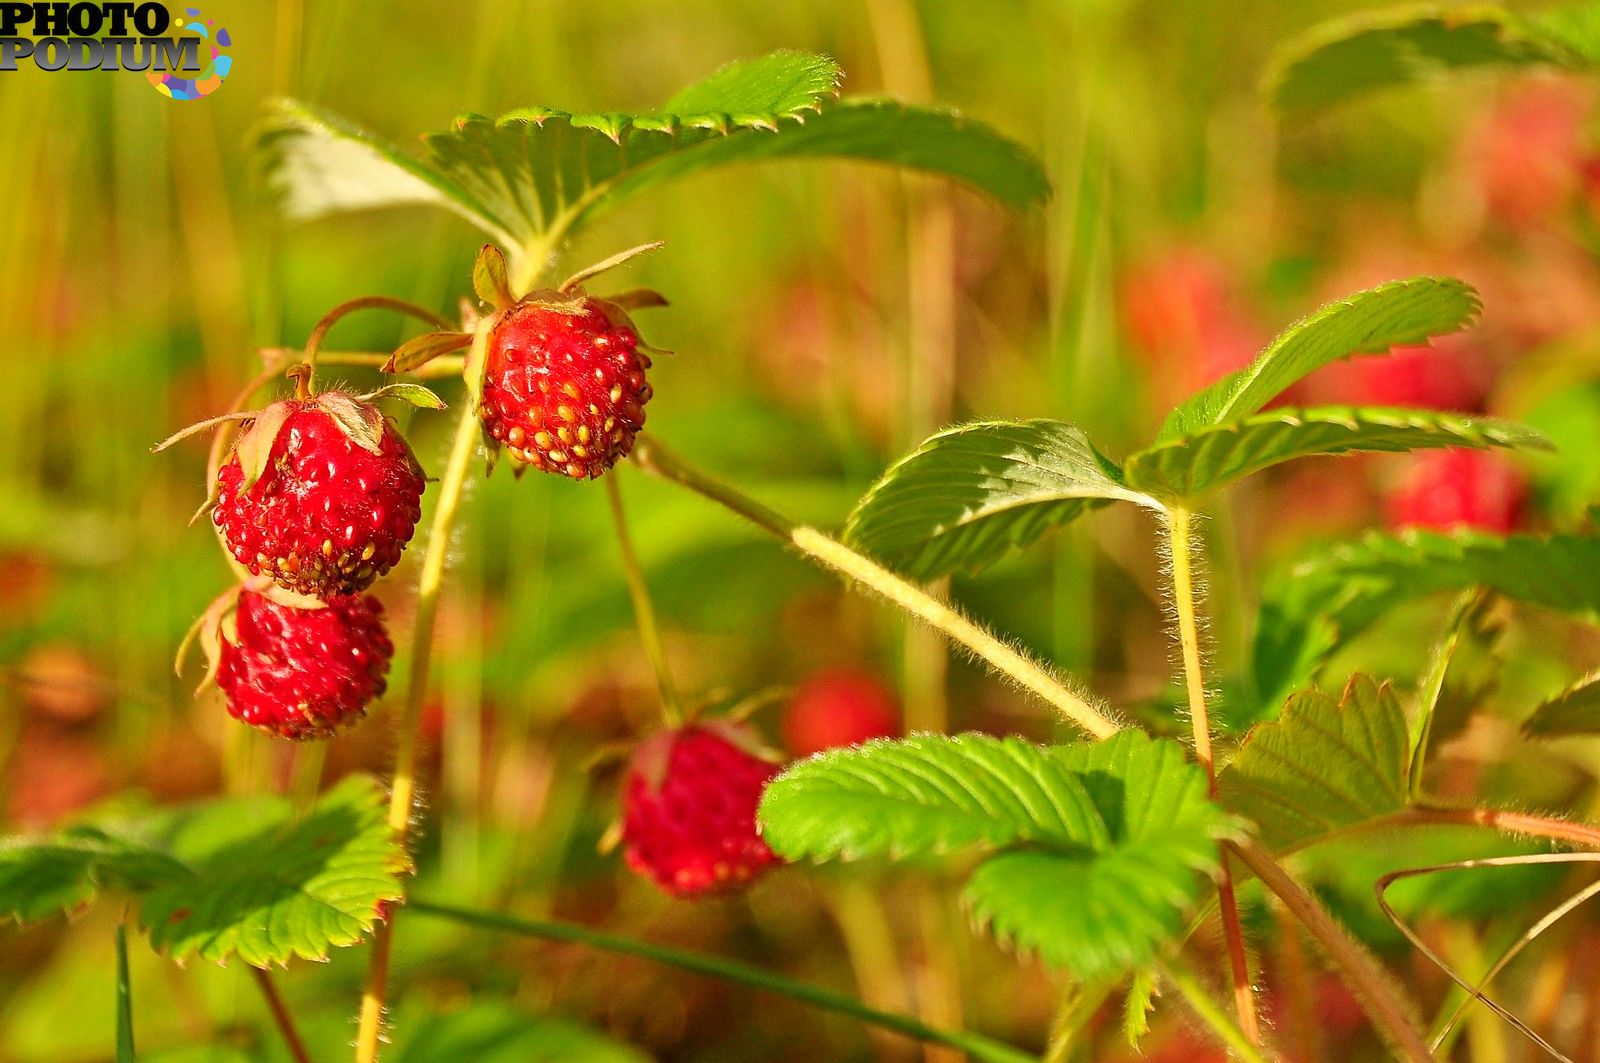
{"x": 1106, "y": 838}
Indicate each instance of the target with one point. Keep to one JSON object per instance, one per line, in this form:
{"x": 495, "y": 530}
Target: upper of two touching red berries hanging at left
{"x": 321, "y": 495}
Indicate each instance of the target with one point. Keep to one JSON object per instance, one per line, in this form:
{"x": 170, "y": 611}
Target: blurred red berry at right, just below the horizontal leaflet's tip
{"x": 1450, "y": 489}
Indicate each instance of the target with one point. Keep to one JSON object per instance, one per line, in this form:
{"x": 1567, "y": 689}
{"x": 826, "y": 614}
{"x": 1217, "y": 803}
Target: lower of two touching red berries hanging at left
{"x": 303, "y": 673}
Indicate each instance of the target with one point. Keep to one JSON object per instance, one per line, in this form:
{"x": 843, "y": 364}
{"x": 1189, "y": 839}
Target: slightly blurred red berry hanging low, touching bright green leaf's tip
{"x": 689, "y": 811}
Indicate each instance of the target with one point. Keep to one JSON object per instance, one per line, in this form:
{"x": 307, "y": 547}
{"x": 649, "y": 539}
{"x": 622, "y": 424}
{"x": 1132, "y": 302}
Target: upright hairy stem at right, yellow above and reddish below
{"x": 1186, "y": 608}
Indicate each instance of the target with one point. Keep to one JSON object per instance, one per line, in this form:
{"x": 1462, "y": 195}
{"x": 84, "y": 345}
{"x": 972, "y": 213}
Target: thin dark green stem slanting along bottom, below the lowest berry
{"x": 978, "y": 1046}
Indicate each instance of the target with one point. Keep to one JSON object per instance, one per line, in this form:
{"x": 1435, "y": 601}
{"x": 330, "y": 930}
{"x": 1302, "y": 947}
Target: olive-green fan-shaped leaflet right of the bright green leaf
{"x": 1322, "y": 766}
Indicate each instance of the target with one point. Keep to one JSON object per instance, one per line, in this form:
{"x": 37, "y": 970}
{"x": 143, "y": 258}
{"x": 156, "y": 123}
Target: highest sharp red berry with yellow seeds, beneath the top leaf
{"x": 564, "y": 385}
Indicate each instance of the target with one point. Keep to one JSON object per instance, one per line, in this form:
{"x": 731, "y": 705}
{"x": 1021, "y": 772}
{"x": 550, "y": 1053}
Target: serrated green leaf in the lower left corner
{"x": 230, "y": 878}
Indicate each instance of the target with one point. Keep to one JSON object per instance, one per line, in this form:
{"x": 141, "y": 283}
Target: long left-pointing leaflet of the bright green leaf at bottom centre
{"x": 927, "y": 795}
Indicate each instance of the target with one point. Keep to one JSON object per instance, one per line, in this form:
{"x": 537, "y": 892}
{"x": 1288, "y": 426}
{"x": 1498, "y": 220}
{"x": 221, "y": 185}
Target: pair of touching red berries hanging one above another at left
{"x": 318, "y": 499}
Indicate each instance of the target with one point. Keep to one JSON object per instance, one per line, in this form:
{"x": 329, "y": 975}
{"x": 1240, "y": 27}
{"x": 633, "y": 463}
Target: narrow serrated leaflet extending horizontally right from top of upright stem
{"x": 1217, "y": 455}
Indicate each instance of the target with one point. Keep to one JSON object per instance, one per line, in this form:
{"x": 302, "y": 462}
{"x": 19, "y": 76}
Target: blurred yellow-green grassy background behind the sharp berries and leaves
{"x": 825, "y": 319}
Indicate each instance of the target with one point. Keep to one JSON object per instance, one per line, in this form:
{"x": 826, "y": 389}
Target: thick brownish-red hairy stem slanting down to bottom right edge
{"x": 1380, "y": 997}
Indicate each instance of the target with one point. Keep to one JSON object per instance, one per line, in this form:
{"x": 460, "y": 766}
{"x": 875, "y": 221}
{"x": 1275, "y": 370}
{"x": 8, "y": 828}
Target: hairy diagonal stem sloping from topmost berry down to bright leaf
{"x": 1025, "y": 672}
